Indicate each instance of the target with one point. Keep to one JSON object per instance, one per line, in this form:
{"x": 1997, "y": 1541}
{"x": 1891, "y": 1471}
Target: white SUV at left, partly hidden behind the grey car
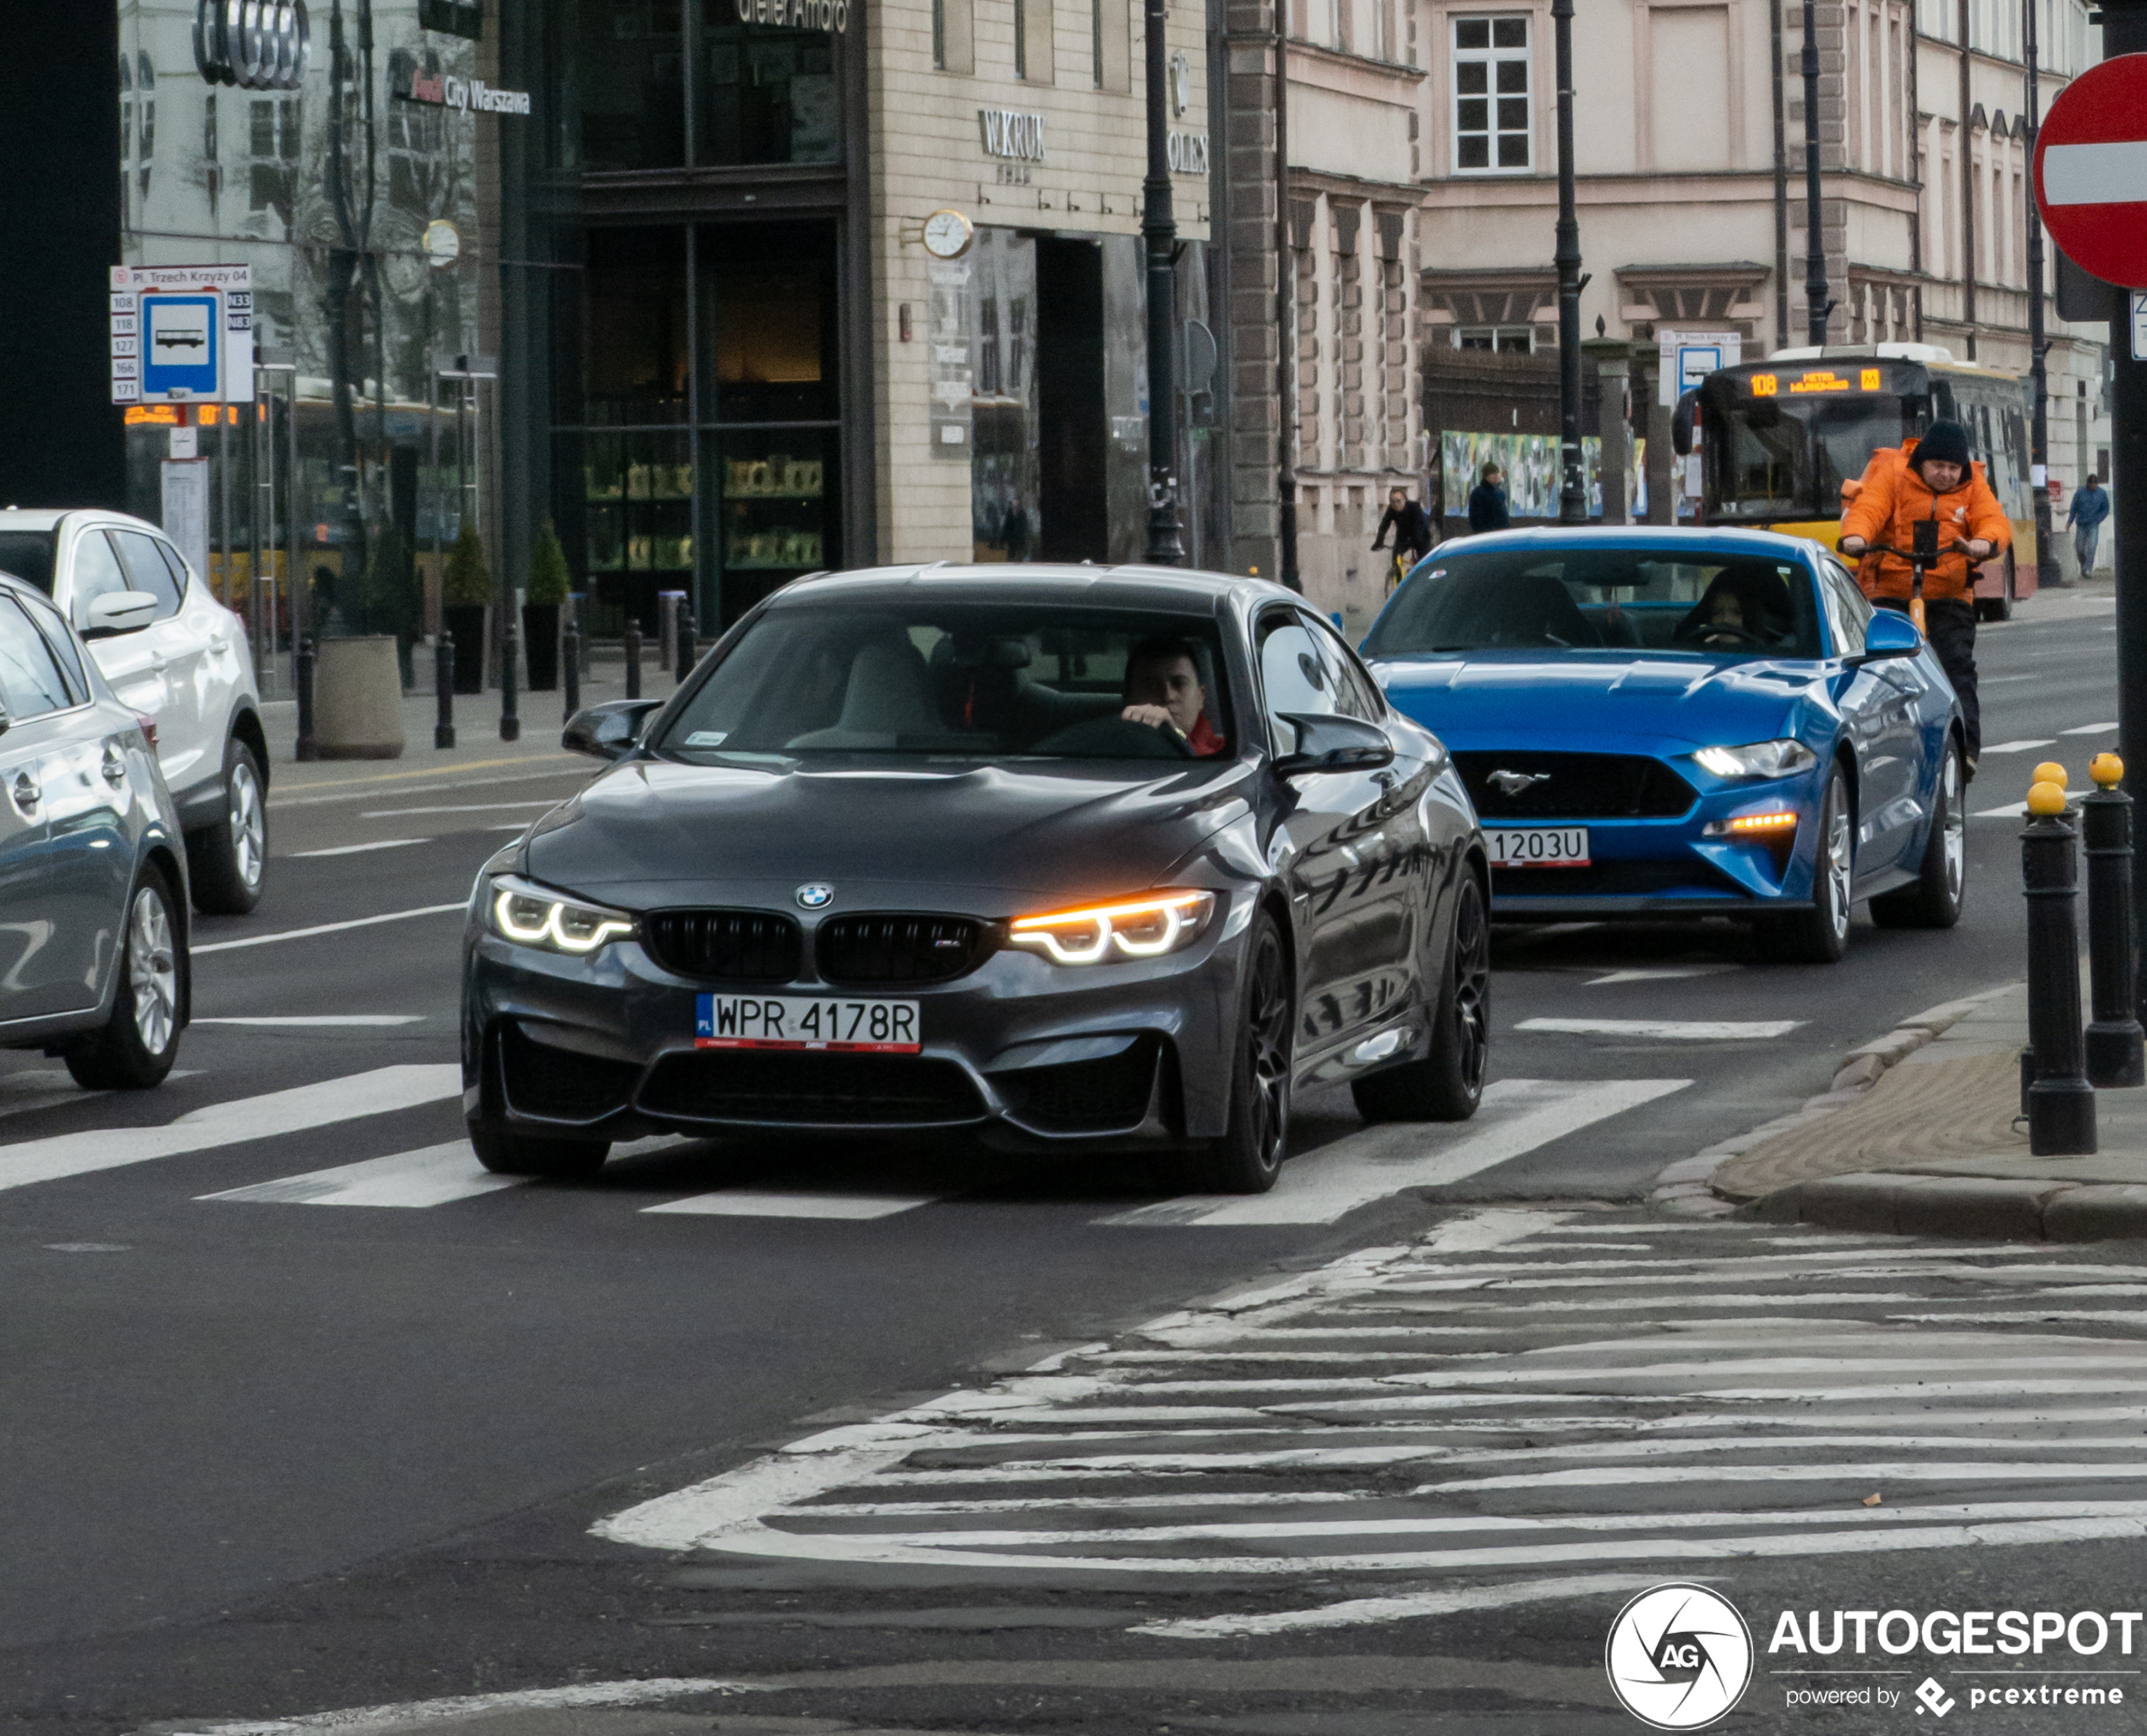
{"x": 177, "y": 656}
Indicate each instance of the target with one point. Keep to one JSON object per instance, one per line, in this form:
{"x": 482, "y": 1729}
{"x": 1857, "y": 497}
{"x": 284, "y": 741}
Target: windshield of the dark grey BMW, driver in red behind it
{"x": 982, "y": 681}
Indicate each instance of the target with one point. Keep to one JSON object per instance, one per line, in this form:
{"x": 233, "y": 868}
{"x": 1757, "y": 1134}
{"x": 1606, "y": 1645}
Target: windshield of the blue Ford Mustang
{"x": 1592, "y": 600}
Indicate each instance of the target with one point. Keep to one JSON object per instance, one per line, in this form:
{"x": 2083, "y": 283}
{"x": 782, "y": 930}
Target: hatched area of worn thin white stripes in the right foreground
{"x": 1528, "y": 1404}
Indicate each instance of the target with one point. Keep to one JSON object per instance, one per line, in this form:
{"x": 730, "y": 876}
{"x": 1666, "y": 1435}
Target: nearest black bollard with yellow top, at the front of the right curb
{"x": 2060, "y": 1102}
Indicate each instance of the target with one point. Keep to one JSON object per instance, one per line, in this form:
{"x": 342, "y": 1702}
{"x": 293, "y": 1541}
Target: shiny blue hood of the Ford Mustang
{"x": 1671, "y": 698}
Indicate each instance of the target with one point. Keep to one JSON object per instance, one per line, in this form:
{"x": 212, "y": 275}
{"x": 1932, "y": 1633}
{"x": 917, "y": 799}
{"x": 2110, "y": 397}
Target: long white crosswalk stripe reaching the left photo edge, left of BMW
{"x": 269, "y": 1117}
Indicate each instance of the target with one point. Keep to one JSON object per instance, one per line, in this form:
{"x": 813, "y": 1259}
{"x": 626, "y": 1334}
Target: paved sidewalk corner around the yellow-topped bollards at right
{"x": 1923, "y": 1136}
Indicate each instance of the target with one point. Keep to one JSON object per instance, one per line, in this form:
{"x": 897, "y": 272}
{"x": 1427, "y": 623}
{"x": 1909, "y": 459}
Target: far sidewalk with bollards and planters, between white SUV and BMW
{"x": 478, "y": 750}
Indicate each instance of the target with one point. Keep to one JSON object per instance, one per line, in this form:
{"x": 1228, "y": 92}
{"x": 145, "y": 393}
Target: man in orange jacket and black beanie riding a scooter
{"x": 1938, "y": 484}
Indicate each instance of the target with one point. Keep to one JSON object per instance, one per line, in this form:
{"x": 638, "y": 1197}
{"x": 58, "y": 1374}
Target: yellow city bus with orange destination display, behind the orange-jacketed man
{"x": 1781, "y": 437}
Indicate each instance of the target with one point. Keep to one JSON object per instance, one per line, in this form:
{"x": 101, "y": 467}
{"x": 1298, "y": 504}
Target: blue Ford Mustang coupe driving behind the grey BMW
{"x": 1686, "y": 724}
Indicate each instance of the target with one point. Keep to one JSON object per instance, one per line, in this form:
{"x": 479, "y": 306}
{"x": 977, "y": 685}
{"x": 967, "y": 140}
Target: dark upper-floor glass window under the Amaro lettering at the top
{"x": 768, "y": 91}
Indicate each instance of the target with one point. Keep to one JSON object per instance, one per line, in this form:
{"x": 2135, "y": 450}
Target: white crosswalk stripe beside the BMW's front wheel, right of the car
{"x": 1360, "y": 1168}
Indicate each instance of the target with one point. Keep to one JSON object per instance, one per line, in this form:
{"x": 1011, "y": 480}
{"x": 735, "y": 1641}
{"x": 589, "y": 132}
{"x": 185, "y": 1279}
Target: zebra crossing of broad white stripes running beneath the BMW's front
{"x": 1317, "y": 1188}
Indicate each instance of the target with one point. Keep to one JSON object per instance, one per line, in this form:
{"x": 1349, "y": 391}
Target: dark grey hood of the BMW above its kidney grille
{"x": 976, "y": 838}
